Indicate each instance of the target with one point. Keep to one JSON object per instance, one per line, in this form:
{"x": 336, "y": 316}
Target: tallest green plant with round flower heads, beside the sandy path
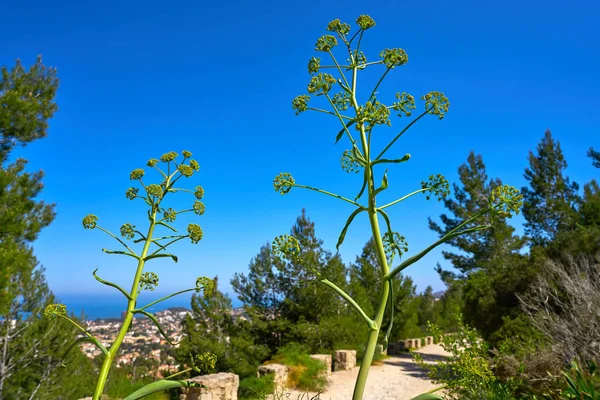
{"x": 362, "y": 157}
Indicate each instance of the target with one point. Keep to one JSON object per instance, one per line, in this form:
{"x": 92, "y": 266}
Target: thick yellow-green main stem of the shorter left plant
{"x": 114, "y": 348}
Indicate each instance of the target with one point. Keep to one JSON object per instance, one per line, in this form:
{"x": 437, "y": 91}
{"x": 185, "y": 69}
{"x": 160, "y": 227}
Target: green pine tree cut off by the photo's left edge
{"x": 30, "y": 347}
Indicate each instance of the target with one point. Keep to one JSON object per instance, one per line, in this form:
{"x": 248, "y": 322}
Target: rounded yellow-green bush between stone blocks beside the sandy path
{"x": 304, "y": 372}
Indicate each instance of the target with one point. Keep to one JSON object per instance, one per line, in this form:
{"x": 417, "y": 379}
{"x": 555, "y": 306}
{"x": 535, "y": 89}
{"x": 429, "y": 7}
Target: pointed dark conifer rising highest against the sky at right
{"x": 550, "y": 199}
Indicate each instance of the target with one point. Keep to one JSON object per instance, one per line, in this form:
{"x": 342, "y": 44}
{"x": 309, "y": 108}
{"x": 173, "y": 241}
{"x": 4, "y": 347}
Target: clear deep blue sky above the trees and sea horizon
{"x": 139, "y": 79}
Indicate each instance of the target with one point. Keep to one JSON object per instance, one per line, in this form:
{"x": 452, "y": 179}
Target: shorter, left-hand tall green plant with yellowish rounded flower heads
{"x": 153, "y": 247}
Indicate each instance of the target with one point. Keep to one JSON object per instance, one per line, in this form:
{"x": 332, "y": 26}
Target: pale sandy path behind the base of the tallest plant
{"x": 399, "y": 378}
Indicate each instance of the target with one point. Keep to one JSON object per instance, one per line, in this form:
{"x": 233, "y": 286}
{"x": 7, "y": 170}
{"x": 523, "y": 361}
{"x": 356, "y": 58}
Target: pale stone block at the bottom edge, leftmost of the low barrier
{"x": 221, "y": 386}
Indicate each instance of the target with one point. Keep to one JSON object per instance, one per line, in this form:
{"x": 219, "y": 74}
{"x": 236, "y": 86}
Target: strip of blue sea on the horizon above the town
{"x": 94, "y": 306}
